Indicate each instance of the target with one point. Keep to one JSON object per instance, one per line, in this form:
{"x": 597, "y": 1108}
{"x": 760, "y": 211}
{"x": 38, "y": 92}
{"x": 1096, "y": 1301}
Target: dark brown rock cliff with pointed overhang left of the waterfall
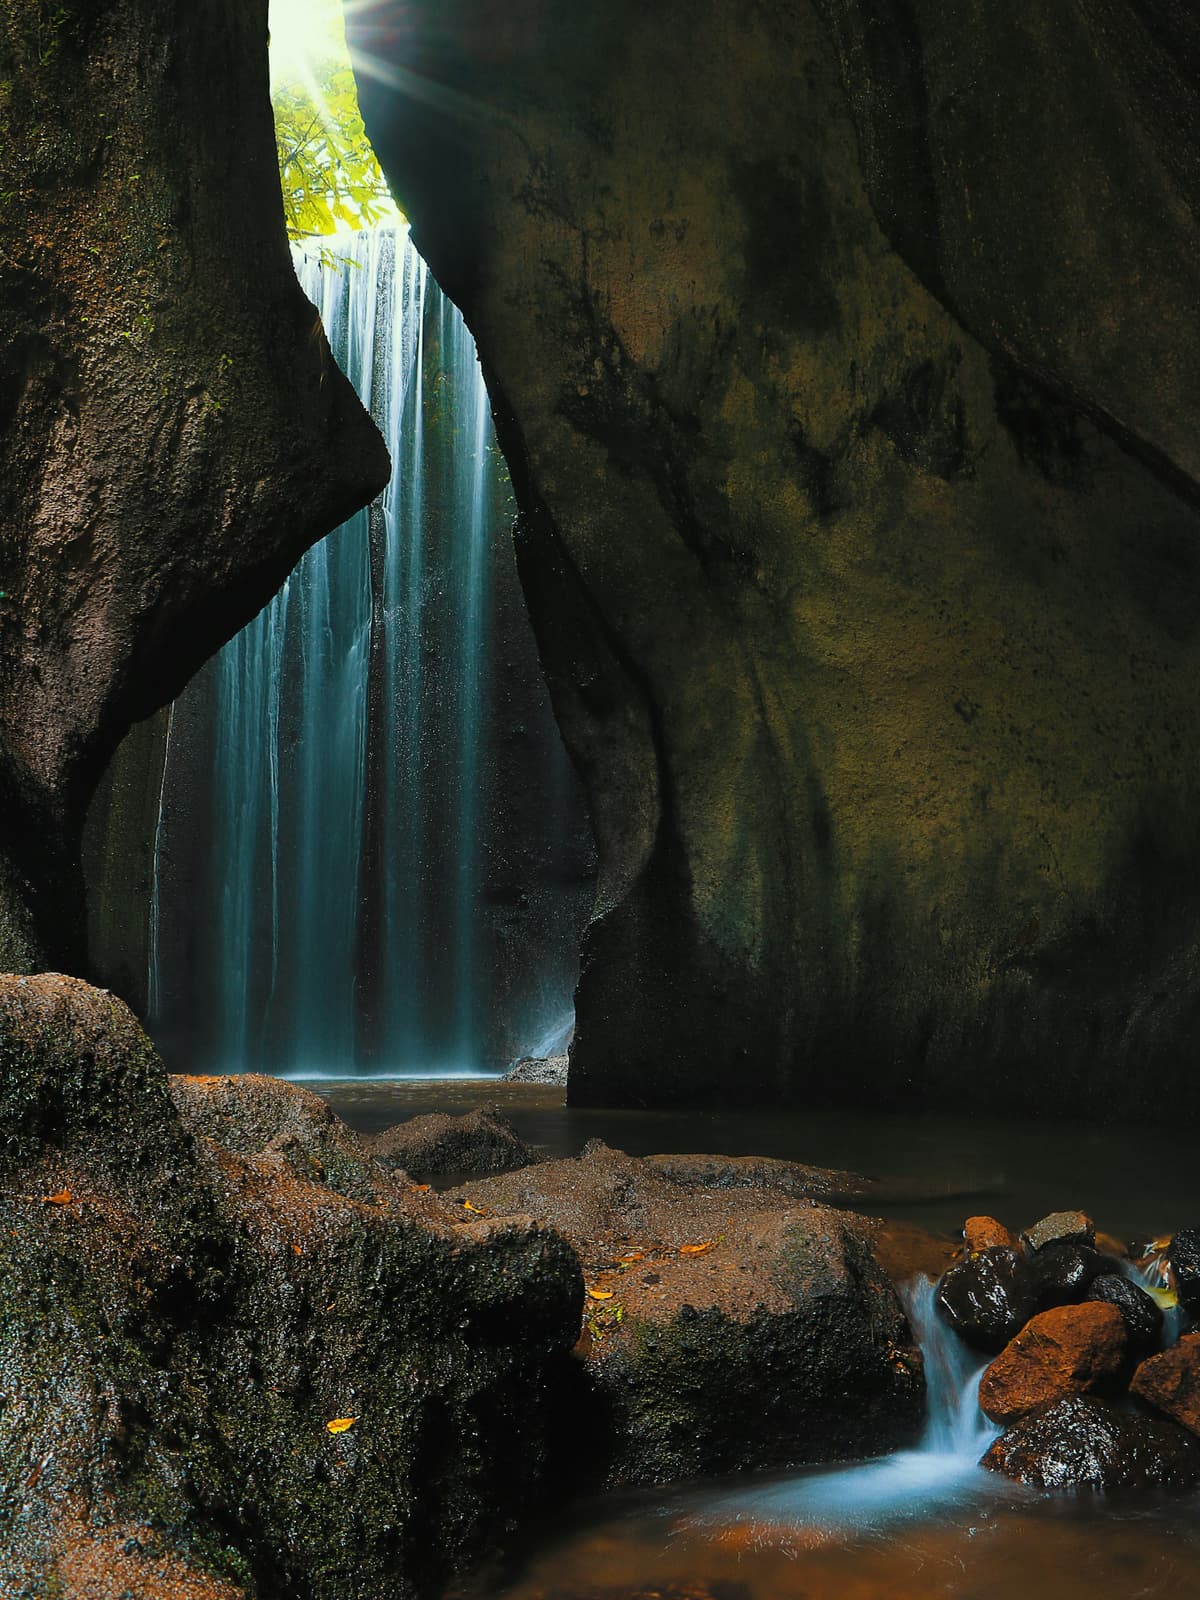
{"x": 174, "y": 433}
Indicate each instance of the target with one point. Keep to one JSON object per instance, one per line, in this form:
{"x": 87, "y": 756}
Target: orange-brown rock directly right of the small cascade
{"x": 1068, "y": 1351}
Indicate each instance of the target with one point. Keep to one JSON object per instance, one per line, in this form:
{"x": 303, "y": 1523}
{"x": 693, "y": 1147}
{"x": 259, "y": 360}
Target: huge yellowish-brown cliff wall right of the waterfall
{"x": 844, "y": 361}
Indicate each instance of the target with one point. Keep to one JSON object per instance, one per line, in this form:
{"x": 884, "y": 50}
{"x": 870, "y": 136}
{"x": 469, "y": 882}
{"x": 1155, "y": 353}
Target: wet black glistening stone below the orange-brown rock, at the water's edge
{"x": 1089, "y": 1444}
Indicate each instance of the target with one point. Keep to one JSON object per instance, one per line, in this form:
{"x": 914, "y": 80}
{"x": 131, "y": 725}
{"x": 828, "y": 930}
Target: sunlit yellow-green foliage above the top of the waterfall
{"x": 327, "y": 166}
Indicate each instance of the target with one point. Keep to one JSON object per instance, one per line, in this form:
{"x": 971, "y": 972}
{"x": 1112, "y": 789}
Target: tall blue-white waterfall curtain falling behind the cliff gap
{"x": 345, "y": 743}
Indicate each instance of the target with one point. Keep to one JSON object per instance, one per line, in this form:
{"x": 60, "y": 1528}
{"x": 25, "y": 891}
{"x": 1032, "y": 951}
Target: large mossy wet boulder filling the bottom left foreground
{"x": 236, "y": 1353}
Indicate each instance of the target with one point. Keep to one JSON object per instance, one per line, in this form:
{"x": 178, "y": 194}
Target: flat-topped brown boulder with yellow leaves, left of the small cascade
{"x": 726, "y": 1327}
